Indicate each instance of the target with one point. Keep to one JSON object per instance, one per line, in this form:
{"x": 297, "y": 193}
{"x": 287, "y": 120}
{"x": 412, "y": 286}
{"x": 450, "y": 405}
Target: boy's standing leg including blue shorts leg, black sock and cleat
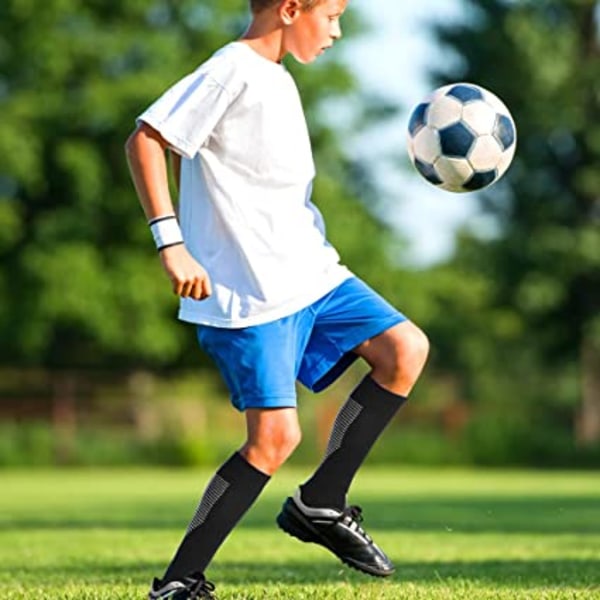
{"x": 258, "y": 365}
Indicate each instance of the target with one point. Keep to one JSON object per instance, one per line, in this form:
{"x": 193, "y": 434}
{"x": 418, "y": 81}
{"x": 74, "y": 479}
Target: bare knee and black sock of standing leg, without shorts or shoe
{"x": 272, "y": 436}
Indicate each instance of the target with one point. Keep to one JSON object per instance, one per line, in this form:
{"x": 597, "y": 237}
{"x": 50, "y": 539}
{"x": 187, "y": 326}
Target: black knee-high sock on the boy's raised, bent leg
{"x": 358, "y": 425}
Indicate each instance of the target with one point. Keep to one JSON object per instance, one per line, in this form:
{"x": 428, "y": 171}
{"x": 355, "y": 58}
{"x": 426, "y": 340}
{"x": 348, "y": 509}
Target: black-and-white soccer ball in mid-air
{"x": 461, "y": 138}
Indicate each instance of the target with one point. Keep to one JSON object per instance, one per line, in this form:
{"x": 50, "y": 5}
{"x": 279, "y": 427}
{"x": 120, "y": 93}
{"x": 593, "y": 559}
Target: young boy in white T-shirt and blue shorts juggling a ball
{"x": 271, "y": 302}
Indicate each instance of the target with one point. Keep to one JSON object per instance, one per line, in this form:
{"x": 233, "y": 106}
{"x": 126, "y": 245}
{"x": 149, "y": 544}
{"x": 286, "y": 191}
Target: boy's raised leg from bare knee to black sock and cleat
{"x": 318, "y": 512}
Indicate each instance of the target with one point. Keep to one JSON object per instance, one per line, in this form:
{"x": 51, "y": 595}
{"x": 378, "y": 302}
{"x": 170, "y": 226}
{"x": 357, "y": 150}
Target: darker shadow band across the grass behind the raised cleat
{"x": 575, "y": 515}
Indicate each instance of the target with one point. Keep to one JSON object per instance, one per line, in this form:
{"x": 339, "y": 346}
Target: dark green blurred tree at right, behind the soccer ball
{"x": 543, "y": 266}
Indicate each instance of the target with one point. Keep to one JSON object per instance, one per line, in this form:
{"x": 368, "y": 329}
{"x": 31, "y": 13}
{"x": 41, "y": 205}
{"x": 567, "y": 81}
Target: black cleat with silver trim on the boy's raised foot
{"x": 338, "y": 531}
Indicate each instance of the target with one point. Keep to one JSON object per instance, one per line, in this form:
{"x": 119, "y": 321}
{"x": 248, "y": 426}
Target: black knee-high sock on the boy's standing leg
{"x": 230, "y": 493}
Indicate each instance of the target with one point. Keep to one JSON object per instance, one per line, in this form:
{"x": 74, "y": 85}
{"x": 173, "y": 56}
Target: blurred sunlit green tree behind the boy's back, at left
{"x": 80, "y": 284}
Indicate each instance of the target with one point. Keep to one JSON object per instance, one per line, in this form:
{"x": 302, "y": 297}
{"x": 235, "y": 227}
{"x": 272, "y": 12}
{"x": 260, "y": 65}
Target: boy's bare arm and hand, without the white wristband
{"x": 145, "y": 150}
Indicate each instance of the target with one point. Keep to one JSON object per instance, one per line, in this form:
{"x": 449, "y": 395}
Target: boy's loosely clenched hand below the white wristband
{"x": 188, "y": 277}
